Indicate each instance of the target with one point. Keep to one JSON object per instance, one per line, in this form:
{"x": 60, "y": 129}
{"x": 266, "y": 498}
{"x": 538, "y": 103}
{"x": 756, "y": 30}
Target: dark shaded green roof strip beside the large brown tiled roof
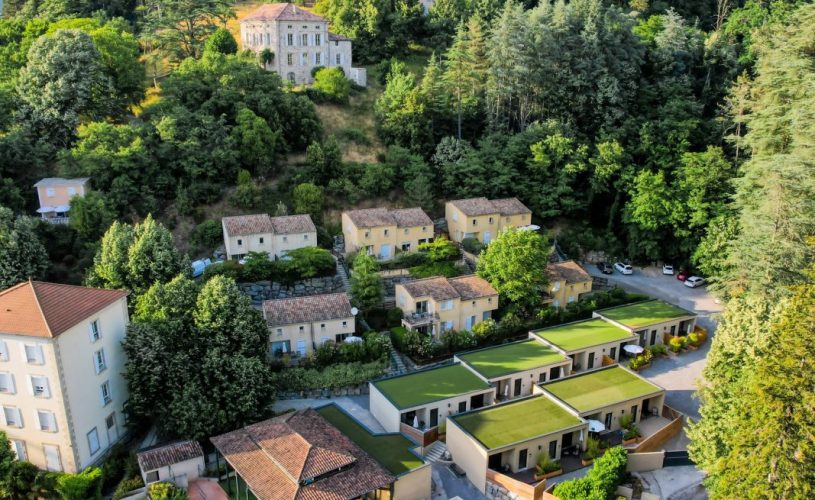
{"x": 390, "y": 450}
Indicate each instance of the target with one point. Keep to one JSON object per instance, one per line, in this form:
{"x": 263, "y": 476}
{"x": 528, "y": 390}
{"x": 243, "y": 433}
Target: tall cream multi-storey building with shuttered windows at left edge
{"x": 62, "y": 390}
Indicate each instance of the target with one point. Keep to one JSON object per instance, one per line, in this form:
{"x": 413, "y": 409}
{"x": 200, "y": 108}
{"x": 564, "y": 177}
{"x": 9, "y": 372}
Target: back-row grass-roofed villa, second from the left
{"x": 515, "y": 368}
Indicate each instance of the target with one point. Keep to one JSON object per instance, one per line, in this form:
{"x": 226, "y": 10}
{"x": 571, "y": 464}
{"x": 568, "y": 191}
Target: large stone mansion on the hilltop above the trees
{"x": 299, "y": 40}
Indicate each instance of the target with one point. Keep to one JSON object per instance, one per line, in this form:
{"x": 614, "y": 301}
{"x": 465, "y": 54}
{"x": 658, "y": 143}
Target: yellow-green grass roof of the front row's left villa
{"x": 514, "y": 422}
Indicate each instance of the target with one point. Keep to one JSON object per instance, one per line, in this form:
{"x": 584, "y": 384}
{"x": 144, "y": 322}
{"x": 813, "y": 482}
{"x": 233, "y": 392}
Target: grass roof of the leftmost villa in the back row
{"x": 427, "y": 386}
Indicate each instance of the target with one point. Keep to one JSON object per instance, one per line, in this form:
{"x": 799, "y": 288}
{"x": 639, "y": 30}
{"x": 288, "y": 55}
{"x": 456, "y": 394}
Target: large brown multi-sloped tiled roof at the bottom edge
{"x": 300, "y": 455}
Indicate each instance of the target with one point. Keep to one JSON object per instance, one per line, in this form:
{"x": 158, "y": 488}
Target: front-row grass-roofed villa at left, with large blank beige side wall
{"x": 511, "y": 436}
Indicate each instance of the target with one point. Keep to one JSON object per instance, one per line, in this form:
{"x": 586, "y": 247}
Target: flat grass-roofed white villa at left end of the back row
{"x": 427, "y": 397}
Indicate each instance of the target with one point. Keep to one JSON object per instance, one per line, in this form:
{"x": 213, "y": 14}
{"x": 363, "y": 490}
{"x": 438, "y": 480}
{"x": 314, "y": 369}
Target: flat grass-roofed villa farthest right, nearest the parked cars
{"x": 650, "y": 320}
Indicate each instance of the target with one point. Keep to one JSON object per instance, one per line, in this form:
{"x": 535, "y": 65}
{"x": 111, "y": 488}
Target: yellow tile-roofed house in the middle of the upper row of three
{"x": 382, "y": 232}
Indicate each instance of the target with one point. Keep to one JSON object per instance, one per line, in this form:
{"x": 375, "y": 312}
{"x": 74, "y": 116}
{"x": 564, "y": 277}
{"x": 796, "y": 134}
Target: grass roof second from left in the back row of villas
{"x": 512, "y": 358}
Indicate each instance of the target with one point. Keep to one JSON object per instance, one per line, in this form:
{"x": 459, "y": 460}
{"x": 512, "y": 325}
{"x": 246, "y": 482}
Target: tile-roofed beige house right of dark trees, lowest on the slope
{"x": 298, "y": 325}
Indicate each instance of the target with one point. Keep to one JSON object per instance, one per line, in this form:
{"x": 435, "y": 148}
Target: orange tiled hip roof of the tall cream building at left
{"x": 48, "y": 309}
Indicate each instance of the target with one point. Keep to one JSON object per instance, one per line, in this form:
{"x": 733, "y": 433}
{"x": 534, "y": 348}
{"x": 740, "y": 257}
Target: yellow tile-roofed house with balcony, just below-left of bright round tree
{"x": 435, "y": 305}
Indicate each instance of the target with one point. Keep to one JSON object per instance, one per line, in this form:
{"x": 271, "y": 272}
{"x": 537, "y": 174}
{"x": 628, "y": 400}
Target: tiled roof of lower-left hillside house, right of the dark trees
{"x": 307, "y": 309}
